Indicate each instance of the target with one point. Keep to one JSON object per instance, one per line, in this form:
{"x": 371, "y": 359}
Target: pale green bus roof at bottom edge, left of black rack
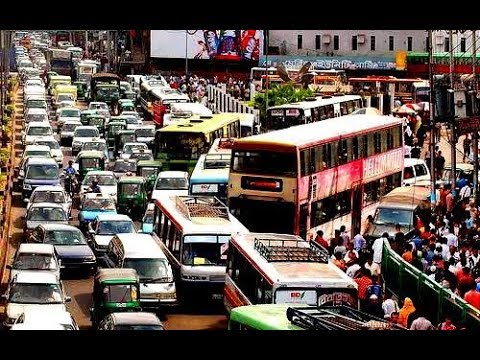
{"x": 261, "y": 317}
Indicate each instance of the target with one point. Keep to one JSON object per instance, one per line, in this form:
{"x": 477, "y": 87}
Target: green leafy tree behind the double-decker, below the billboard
{"x": 278, "y": 95}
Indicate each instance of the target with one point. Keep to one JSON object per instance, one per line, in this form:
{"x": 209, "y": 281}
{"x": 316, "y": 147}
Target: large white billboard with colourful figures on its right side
{"x": 227, "y": 45}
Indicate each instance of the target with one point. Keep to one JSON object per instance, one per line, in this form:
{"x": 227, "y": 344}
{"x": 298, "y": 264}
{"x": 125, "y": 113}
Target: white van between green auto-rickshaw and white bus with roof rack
{"x": 142, "y": 253}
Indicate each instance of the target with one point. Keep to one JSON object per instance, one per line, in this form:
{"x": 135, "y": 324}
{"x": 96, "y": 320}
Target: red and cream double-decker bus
{"x": 316, "y": 176}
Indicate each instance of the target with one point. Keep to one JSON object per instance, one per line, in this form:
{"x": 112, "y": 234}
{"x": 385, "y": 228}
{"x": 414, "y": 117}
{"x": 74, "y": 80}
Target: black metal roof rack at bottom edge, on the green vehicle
{"x": 337, "y": 318}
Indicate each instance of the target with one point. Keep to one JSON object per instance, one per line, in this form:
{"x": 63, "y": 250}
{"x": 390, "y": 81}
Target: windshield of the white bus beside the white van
{"x": 205, "y": 249}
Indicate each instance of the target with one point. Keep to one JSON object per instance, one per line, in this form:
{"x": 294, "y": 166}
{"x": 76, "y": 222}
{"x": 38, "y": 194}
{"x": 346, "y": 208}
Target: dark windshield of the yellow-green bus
{"x": 183, "y": 145}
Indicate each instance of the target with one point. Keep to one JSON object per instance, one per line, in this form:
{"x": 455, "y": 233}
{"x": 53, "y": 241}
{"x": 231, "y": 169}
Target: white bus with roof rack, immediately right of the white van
{"x": 194, "y": 231}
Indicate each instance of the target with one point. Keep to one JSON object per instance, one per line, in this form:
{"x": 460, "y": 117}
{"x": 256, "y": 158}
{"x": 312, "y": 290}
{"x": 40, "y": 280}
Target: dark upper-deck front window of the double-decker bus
{"x": 265, "y": 162}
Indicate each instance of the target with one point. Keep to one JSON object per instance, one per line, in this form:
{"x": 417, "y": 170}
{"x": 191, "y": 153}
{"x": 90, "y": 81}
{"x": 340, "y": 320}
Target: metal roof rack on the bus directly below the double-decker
{"x": 290, "y": 250}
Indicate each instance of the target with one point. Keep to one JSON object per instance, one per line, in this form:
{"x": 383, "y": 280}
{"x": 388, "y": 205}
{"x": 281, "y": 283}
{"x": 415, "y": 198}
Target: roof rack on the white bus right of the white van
{"x": 201, "y": 206}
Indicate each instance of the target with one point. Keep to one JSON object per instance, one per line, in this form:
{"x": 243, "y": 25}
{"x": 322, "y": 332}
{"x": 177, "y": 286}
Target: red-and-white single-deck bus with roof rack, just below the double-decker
{"x": 268, "y": 268}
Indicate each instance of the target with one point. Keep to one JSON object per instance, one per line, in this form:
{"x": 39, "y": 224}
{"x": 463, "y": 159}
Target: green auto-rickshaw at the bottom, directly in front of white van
{"x": 114, "y": 290}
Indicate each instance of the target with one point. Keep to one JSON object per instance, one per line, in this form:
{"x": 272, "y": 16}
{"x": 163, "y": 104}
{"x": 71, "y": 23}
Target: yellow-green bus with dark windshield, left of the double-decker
{"x": 179, "y": 145}
